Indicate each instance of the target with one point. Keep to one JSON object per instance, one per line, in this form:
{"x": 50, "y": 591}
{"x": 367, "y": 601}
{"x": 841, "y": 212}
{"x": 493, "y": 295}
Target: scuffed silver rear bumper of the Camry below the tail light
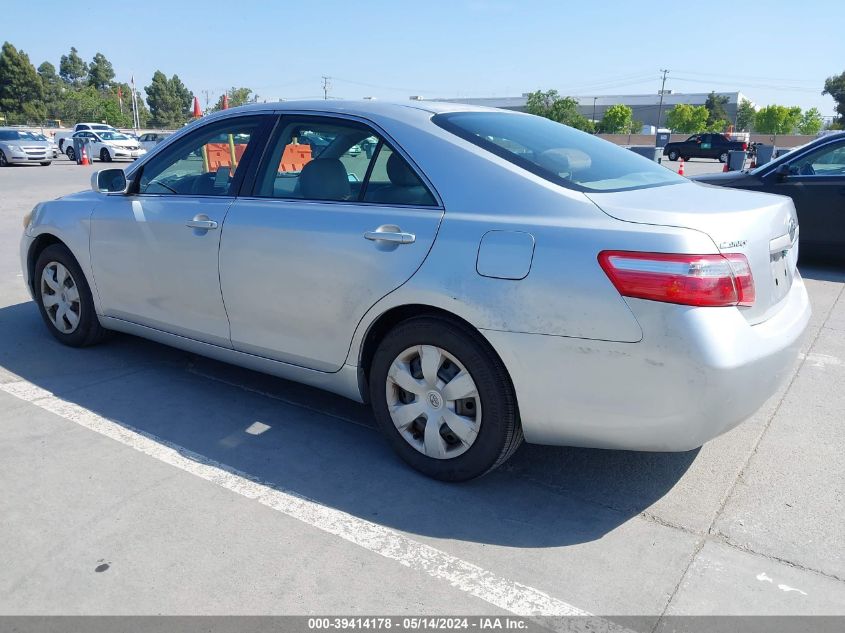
{"x": 697, "y": 373}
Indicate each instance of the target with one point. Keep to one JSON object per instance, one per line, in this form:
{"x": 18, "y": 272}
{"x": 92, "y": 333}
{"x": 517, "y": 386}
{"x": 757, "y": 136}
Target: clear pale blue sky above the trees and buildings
{"x": 440, "y": 48}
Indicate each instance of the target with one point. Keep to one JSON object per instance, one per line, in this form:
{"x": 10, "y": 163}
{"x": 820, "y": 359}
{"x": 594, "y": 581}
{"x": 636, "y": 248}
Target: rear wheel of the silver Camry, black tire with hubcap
{"x": 443, "y": 399}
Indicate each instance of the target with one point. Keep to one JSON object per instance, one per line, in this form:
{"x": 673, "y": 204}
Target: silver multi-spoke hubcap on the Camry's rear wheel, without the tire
{"x": 433, "y": 401}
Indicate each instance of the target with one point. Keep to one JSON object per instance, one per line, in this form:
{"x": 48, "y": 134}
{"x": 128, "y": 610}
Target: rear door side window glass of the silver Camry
{"x": 337, "y": 160}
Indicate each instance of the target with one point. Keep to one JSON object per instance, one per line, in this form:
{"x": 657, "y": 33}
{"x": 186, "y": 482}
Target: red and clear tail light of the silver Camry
{"x": 695, "y": 280}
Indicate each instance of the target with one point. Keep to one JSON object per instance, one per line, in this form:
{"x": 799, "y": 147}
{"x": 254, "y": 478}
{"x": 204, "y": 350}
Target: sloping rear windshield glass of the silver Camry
{"x": 557, "y": 152}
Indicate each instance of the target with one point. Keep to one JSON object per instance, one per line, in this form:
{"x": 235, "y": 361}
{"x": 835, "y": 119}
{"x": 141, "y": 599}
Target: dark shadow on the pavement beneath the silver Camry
{"x": 325, "y": 448}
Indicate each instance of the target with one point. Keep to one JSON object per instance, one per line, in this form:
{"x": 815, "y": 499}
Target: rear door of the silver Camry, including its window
{"x": 328, "y": 230}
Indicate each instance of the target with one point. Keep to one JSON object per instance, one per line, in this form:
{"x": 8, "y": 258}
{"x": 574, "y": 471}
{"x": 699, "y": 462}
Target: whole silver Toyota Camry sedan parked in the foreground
{"x": 480, "y": 276}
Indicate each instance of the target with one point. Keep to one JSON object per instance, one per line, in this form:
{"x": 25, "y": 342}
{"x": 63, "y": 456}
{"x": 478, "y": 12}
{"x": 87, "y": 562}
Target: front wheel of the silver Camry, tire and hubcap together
{"x": 64, "y": 298}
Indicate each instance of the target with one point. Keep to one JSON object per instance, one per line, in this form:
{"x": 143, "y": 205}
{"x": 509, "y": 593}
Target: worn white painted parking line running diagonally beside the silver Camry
{"x": 511, "y": 596}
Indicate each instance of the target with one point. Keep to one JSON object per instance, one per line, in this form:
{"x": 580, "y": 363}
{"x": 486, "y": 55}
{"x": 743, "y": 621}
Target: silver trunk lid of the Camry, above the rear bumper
{"x": 763, "y": 227}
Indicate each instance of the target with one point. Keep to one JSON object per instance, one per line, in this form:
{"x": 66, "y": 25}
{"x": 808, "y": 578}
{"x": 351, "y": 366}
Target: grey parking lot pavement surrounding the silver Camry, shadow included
{"x": 138, "y": 479}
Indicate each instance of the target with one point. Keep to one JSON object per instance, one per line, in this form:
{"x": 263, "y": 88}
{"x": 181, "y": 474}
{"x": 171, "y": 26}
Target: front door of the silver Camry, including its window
{"x": 154, "y": 252}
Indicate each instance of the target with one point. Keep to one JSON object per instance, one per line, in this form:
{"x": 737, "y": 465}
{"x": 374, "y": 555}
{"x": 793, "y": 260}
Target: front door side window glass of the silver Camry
{"x": 203, "y": 163}
